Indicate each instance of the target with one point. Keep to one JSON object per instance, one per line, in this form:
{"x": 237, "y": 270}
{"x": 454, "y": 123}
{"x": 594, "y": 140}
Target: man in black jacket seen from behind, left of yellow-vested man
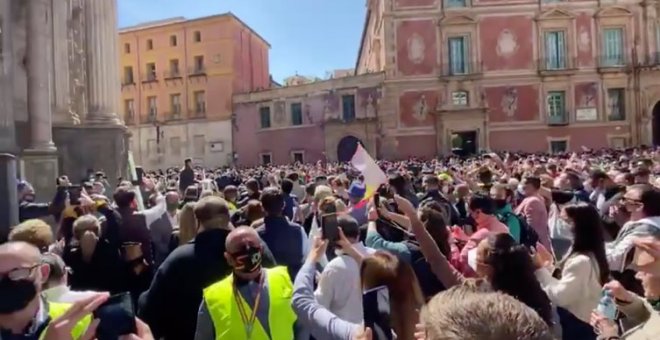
{"x": 171, "y": 304}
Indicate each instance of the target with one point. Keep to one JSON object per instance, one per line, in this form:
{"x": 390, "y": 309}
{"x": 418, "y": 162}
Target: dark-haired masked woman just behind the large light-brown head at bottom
{"x": 509, "y": 269}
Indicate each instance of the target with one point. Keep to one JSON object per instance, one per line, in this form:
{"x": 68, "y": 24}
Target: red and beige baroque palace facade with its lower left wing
{"x": 517, "y": 75}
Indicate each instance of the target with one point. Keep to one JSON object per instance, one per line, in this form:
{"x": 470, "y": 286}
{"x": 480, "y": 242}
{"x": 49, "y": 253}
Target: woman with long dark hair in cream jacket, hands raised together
{"x": 576, "y": 289}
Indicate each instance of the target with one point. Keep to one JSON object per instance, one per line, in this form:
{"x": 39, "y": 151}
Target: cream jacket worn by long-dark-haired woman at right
{"x": 578, "y": 290}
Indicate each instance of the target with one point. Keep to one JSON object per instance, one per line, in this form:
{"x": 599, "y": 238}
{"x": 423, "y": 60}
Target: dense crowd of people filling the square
{"x": 492, "y": 246}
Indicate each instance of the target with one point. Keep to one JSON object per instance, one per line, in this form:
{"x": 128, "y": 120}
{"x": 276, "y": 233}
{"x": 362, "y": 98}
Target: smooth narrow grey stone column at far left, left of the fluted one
{"x": 38, "y": 70}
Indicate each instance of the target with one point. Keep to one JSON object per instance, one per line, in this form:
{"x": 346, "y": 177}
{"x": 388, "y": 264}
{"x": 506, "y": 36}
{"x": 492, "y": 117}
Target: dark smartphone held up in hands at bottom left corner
{"x": 116, "y": 317}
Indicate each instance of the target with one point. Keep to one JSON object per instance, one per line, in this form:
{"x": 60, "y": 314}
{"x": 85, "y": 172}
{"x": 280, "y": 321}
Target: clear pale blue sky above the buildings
{"x": 307, "y": 37}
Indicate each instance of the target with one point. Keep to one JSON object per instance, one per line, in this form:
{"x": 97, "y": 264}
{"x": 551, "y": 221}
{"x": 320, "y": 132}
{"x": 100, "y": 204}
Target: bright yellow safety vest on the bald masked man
{"x": 227, "y": 322}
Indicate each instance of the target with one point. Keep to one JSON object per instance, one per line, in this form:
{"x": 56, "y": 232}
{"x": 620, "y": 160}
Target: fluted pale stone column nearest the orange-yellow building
{"x": 103, "y": 84}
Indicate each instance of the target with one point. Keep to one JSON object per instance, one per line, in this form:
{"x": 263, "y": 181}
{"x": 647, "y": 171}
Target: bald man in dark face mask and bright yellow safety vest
{"x": 262, "y": 297}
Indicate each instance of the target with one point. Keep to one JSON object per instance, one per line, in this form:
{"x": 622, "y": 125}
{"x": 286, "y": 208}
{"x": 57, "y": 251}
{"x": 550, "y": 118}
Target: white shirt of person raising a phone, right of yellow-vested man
{"x": 340, "y": 288}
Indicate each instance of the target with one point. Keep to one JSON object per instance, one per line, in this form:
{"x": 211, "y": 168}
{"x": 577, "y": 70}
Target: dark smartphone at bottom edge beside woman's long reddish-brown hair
{"x": 376, "y": 312}
